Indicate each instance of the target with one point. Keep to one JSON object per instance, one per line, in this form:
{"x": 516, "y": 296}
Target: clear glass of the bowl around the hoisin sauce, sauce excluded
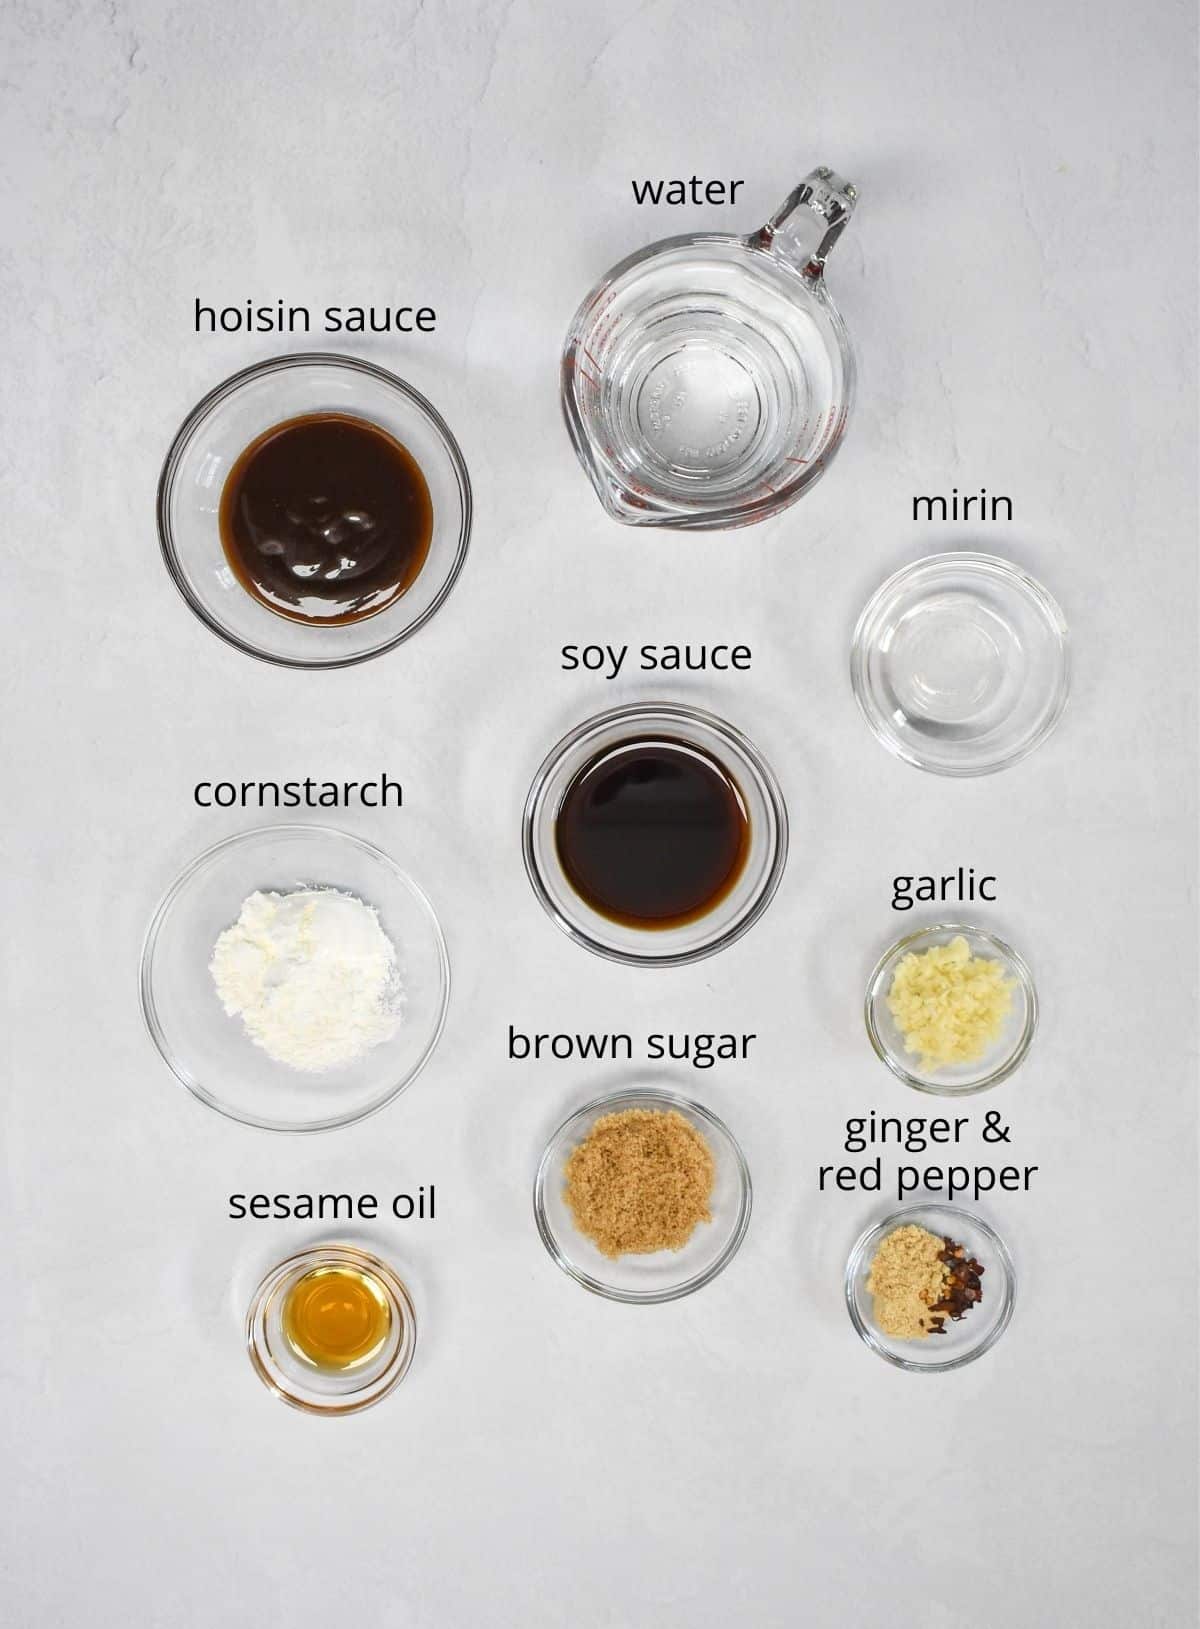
{"x": 222, "y": 428}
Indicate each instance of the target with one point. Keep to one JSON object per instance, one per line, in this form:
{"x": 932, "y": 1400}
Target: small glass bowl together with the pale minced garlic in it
{"x": 952, "y": 1009}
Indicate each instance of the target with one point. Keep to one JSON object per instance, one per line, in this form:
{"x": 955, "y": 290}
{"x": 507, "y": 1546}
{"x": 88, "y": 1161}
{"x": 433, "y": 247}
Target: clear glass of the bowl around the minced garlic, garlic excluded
{"x": 1001, "y": 1060}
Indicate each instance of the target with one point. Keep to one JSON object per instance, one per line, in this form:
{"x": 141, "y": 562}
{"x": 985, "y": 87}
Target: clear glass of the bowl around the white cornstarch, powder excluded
{"x": 212, "y": 1055}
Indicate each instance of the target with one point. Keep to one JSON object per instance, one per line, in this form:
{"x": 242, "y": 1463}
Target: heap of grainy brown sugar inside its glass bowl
{"x": 641, "y": 1182}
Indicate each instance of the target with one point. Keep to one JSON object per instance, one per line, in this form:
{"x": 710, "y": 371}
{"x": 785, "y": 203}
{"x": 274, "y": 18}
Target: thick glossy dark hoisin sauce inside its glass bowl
{"x": 326, "y": 519}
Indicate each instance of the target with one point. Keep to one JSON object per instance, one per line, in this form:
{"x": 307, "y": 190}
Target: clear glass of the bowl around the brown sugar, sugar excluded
{"x": 667, "y": 1275}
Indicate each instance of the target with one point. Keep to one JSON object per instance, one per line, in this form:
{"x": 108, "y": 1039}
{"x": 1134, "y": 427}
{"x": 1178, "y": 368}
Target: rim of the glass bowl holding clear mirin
{"x": 1028, "y": 586}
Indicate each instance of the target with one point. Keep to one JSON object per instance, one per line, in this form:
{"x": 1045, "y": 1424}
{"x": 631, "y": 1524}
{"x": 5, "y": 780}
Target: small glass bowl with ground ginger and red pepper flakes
{"x": 931, "y": 1288}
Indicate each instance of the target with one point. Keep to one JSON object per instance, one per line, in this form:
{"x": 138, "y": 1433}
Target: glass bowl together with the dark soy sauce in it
{"x": 655, "y": 835}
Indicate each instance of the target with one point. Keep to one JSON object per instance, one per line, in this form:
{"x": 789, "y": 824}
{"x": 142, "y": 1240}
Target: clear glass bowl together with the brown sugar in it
{"x": 642, "y": 1197}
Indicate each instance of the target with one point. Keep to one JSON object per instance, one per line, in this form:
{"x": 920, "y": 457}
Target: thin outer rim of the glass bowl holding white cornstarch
{"x": 147, "y": 964}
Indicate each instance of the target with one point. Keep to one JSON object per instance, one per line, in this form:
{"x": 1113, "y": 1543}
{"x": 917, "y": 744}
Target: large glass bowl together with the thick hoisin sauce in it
{"x": 315, "y": 511}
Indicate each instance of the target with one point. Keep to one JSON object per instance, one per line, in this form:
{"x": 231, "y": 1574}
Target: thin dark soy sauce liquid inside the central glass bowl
{"x": 654, "y": 833}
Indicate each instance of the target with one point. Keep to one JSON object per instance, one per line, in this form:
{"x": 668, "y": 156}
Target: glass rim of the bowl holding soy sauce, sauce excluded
{"x": 673, "y": 713}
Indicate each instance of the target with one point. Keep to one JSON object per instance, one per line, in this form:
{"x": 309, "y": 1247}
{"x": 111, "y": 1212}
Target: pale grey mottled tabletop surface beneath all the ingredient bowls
{"x": 1020, "y": 288}
